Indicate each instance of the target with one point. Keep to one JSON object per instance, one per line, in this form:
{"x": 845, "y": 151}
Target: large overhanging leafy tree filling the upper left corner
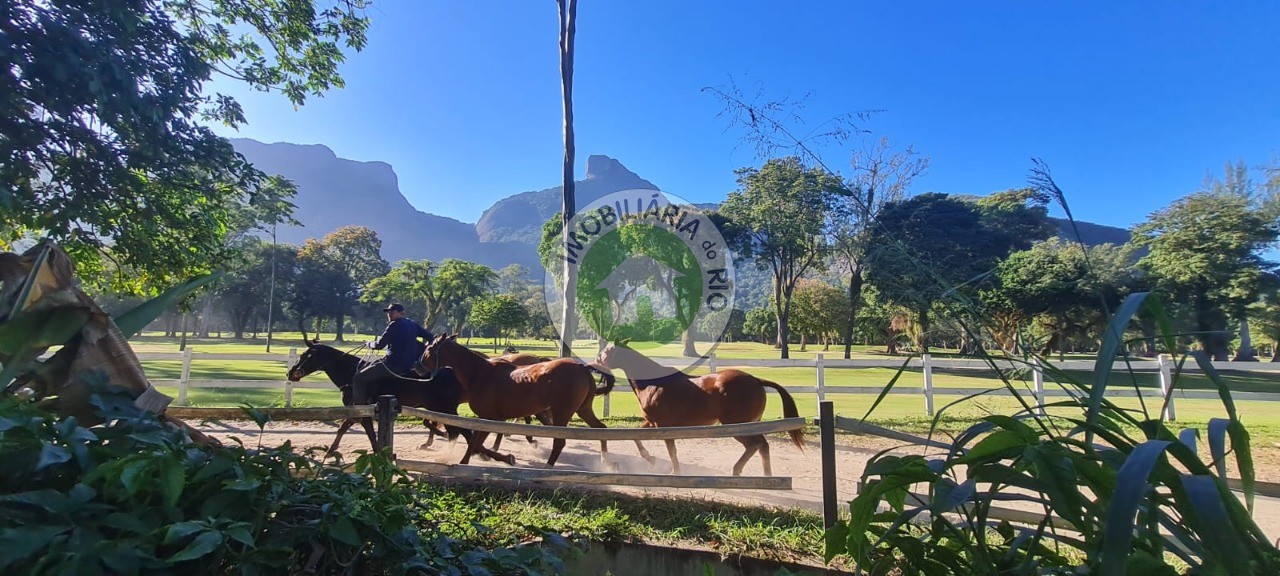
{"x": 103, "y": 106}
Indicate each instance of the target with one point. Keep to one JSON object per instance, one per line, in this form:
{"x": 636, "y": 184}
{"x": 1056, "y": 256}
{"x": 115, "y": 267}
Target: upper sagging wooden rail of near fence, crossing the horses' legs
{"x": 676, "y": 433}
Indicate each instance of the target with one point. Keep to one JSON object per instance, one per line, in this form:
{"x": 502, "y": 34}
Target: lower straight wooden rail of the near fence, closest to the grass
{"x": 575, "y": 477}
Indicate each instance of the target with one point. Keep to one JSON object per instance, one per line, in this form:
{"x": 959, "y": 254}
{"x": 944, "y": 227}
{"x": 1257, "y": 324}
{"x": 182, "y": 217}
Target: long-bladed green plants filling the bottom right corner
{"x": 1121, "y": 491}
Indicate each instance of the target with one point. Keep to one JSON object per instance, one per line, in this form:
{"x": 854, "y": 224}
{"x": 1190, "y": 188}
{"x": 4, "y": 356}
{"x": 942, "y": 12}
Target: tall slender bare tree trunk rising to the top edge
{"x": 569, "y": 205}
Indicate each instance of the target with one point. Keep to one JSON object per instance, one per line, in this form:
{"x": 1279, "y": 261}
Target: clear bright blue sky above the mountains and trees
{"x": 1132, "y": 104}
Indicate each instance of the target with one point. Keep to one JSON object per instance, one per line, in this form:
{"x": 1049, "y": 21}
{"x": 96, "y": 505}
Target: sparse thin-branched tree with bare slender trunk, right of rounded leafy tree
{"x": 881, "y": 177}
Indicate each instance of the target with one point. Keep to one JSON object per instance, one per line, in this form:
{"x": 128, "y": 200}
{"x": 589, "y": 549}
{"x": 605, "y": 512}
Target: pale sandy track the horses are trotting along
{"x": 697, "y": 458}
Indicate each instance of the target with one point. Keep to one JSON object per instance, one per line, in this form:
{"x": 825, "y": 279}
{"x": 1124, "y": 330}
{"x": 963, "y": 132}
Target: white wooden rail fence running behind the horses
{"x": 824, "y": 372}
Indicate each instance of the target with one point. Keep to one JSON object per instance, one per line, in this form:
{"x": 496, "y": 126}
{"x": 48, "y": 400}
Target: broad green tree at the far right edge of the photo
{"x": 1206, "y": 253}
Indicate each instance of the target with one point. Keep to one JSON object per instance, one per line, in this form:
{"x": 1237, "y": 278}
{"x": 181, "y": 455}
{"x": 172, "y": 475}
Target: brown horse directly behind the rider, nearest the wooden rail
{"x": 501, "y": 391}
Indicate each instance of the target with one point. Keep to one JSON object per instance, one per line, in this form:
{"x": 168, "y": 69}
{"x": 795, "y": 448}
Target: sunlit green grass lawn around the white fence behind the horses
{"x": 904, "y": 412}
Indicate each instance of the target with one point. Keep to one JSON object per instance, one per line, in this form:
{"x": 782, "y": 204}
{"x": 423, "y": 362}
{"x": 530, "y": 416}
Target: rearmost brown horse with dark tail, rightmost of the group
{"x": 680, "y": 400}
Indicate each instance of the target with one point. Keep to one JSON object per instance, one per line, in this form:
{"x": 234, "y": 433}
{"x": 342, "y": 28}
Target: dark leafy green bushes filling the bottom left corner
{"x": 135, "y": 497}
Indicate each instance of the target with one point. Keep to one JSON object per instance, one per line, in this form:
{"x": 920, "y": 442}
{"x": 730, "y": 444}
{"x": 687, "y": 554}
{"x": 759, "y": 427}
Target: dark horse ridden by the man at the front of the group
{"x": 441, "y": 394}
